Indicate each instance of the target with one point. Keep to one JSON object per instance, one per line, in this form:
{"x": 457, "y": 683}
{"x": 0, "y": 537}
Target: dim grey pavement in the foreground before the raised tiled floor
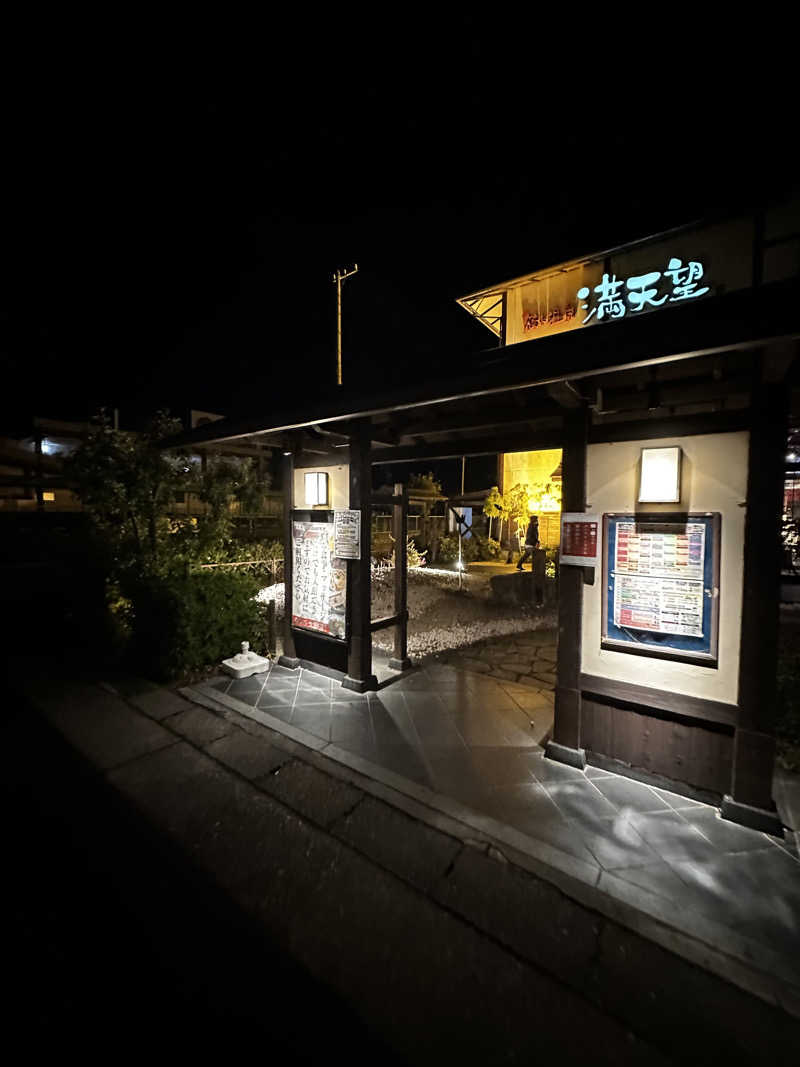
{"x": 449, "y": 933}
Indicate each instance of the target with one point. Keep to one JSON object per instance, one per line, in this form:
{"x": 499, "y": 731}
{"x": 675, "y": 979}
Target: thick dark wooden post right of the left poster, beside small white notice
{"x": 360, "y": 675}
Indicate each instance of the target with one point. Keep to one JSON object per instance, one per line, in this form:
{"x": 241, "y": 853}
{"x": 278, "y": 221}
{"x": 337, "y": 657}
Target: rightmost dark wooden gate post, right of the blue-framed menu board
{"x": 755, "y": 745}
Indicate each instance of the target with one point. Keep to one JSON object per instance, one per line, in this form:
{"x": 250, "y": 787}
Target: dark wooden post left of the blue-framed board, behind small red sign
{"x": 566, "y": 745}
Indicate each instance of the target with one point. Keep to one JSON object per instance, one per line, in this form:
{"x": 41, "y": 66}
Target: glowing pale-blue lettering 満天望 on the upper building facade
{"x": 643, "y": 291}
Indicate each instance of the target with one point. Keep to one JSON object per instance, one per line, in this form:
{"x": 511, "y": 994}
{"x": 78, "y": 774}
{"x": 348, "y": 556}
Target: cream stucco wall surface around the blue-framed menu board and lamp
{"x": 714, "y": 479}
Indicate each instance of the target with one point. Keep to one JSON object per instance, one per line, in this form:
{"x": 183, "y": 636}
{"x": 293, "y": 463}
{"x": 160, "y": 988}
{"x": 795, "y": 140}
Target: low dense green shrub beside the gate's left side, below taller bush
{"x": 187, "y": 620}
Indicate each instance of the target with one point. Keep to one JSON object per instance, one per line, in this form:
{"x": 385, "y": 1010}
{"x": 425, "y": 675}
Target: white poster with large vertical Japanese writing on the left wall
{"x": 319, "y": 581}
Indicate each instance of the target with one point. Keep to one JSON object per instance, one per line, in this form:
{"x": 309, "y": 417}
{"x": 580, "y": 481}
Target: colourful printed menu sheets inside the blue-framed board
{"x": 659, "y": 578}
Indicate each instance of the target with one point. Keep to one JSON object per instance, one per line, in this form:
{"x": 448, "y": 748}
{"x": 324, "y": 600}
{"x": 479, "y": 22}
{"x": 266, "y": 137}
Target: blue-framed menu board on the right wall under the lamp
{"x": 661, "y": 585}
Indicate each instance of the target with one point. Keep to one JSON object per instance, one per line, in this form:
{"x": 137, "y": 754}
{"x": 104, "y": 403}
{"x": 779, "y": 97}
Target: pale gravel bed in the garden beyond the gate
{"x": 441, "y": 616}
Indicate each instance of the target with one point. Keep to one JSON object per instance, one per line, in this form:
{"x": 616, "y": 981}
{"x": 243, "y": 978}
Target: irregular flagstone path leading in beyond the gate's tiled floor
{"x": 529, "y": 659}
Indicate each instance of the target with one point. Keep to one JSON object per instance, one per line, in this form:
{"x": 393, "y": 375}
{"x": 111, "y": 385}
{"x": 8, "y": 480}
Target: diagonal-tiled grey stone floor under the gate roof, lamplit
{"x": 470, "y": 738}
